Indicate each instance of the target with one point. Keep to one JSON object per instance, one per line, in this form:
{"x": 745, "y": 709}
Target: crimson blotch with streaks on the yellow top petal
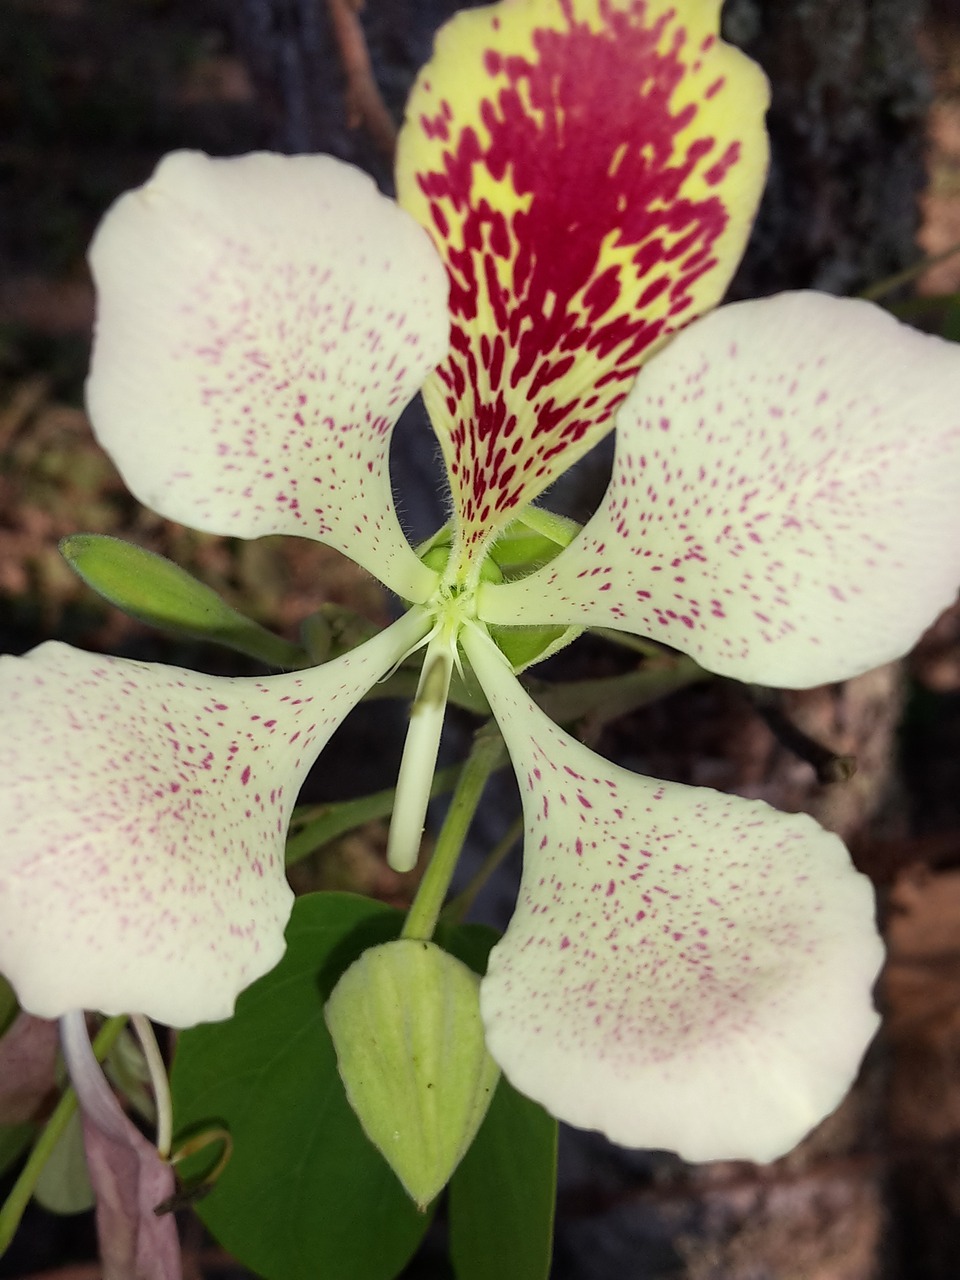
{"x": 587, "y": 136}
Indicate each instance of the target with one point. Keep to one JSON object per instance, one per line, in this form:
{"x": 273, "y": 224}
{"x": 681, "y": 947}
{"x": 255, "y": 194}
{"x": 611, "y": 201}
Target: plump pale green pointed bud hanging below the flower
{"x": 405, "y": 1022}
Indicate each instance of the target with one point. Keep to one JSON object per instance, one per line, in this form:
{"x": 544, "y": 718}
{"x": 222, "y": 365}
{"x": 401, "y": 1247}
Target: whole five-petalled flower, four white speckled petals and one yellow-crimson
{"x": 684, "y": 970}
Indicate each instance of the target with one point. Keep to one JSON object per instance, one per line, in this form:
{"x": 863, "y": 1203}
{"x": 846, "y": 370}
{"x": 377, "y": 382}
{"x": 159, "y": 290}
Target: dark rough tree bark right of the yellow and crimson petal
{"x": 851, "y": 97}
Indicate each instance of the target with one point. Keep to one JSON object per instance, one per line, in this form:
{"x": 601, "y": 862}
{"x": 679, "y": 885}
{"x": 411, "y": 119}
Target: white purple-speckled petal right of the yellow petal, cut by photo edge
{"x": 785, "y": 502}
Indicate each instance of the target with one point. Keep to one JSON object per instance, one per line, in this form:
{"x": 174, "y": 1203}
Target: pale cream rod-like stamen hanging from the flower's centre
{"x": 420, "y": 752}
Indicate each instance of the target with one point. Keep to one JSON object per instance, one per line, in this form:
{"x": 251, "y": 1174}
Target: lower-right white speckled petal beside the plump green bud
{"x": 684, "y": 970}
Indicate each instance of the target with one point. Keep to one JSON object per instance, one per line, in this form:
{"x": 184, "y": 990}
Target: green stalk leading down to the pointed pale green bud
{"x": 487, "y": 756}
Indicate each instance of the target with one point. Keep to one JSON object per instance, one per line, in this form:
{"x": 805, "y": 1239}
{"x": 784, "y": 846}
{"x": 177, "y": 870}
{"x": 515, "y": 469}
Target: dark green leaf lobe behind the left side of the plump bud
{"x": 305, "y": 1195}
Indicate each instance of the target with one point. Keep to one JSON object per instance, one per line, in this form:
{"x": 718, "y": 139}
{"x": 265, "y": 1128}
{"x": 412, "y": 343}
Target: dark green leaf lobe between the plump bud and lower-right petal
{"x": 505, "y": 1190}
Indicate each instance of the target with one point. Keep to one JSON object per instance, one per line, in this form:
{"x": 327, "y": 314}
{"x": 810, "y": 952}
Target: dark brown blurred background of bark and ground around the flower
{"x": 866, "y": 181}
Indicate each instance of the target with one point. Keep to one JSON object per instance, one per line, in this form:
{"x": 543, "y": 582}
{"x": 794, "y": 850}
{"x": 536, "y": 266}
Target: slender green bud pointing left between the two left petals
{"x": 156, "y": 591}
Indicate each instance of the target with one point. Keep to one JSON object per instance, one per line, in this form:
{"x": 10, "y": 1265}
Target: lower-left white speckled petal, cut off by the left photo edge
{"x": 144, "y": 812}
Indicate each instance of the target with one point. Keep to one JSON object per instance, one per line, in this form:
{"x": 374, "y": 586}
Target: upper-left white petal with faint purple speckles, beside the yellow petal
{"x": 263, "y": 322}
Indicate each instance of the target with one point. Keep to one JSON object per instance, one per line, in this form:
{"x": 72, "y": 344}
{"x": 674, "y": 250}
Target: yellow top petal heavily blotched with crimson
{"x": 589, "y": 171}
